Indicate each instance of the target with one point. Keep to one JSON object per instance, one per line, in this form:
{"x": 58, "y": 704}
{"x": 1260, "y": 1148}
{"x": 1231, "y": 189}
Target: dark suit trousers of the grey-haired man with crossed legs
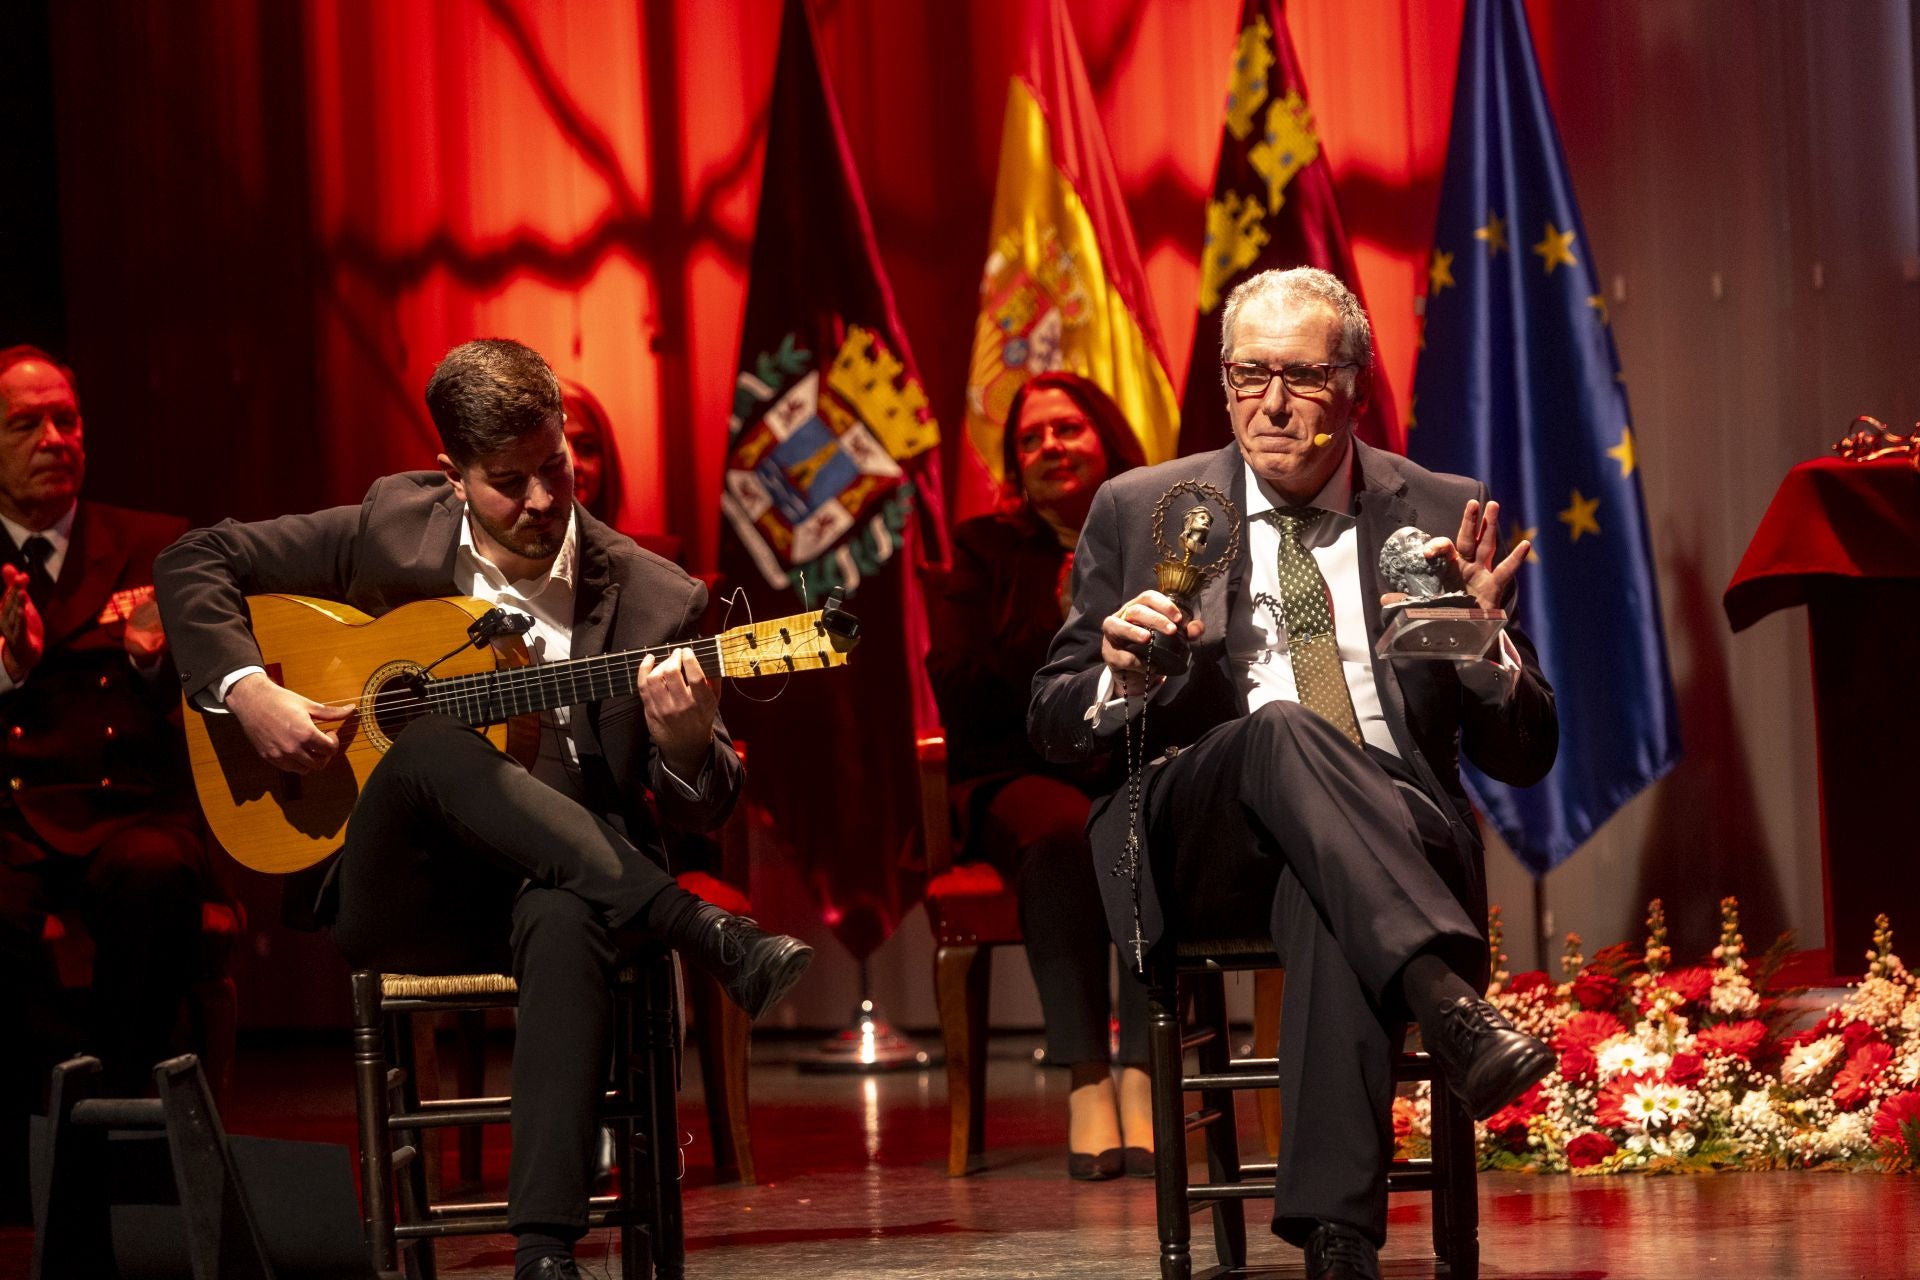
{"x": 1280, "y": 817}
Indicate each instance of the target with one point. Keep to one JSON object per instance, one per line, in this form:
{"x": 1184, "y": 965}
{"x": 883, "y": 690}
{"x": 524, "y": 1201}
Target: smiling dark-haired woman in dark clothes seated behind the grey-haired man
{"x": 996, "y": 617}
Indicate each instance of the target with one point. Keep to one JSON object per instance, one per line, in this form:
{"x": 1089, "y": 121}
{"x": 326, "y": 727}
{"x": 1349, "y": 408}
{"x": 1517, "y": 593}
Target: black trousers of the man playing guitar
{"x": 460, "y": 861}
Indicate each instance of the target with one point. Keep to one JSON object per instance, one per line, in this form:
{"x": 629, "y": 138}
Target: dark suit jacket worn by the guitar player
{"x": 400, "y": 546}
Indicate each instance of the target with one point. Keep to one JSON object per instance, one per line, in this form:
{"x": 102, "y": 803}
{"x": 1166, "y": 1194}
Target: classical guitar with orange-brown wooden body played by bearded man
{"x": 458, "y": 657}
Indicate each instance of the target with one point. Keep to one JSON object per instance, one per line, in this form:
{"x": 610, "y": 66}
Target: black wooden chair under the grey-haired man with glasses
{"x": 1201, "y": 970}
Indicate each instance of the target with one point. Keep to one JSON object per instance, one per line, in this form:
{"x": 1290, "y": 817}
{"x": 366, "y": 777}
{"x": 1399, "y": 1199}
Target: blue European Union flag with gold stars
{"x": 1520, "y": 387}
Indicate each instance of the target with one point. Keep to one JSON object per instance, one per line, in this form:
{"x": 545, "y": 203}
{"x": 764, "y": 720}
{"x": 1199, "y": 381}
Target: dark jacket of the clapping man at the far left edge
{"x": 87, "y": 744}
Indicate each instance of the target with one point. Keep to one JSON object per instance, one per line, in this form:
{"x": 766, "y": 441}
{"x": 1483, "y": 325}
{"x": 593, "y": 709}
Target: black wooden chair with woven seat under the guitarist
{"x": 395, "y": 1120}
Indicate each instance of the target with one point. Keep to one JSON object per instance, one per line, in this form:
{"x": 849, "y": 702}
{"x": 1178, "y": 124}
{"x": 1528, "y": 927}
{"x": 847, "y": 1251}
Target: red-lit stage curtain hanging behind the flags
{"x": 279, "y": 220}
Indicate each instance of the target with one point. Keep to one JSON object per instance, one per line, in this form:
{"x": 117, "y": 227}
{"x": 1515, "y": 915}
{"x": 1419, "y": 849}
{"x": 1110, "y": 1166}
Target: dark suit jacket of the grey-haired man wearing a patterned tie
{"x": 1435, "y": 711}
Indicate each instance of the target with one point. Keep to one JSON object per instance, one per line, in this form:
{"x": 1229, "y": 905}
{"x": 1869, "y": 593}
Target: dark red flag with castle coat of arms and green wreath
{"x": 832, "y": 481}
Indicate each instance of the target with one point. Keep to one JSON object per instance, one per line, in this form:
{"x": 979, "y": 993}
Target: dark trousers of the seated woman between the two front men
{"x": 1038, "y": 830}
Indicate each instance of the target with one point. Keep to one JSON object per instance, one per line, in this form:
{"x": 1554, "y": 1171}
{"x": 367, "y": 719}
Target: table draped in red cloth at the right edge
{"x": 1844, "y": 538}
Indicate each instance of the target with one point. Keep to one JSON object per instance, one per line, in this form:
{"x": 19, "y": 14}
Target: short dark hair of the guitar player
{"x": 491, "y": 392}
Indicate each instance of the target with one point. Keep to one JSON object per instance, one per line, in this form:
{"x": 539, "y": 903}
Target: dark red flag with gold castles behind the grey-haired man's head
{"x": 1272, "y": 206}
